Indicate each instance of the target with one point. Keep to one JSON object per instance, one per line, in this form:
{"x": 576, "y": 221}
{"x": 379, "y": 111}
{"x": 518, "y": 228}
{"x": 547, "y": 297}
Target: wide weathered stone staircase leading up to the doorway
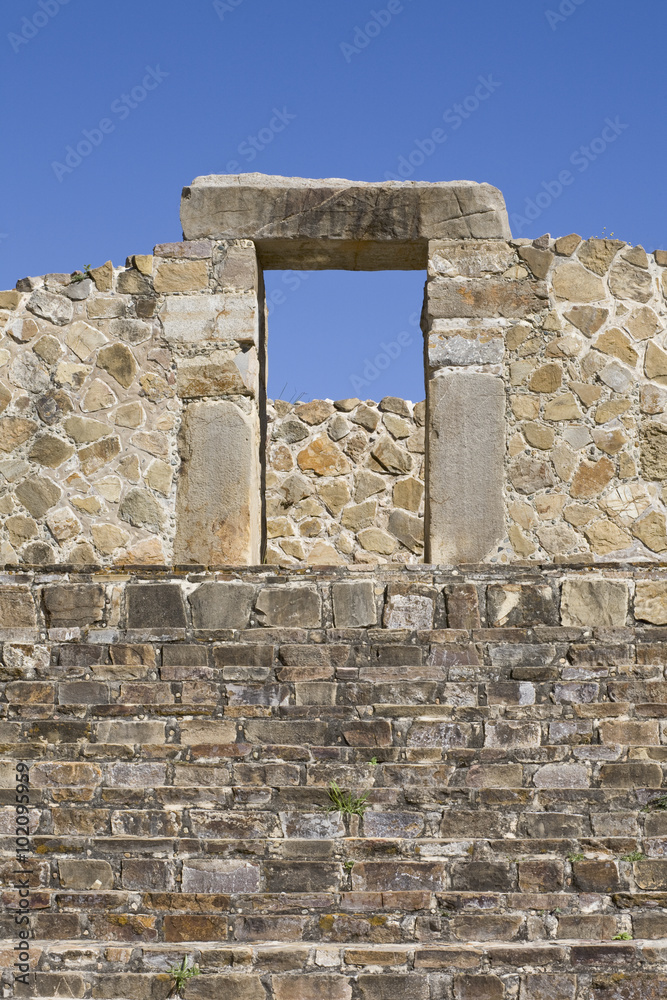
{"x": 512, "y": 842}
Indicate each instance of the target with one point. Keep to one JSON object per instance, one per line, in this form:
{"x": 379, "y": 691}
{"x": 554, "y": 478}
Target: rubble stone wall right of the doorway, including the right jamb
{"x": 572, "y": 334}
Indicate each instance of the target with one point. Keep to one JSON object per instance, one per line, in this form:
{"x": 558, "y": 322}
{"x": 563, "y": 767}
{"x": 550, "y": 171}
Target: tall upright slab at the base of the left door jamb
{"x": 217, "y": 499}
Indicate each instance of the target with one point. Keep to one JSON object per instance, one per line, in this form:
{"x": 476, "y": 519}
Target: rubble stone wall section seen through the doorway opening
{"x": 345, "y": 482}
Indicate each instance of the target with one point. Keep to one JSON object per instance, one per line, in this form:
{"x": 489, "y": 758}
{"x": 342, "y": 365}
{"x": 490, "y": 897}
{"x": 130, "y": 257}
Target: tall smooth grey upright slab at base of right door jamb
{"x": 467, "y": 435}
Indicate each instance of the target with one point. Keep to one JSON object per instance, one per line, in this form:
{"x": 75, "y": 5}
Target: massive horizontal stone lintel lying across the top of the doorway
{"x": 334, "y": 223}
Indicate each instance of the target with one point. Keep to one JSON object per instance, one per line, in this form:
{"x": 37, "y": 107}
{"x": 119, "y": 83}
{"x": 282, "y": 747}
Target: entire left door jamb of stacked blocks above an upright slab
{"x": 211, "y": 321}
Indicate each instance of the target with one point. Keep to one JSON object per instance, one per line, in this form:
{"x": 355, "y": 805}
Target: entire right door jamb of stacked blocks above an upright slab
{"x": 473, "y": 293}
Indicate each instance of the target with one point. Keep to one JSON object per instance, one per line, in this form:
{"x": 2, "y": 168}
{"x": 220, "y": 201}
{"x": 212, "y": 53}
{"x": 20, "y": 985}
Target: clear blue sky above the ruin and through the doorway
{"x": 353, "y": 104}
